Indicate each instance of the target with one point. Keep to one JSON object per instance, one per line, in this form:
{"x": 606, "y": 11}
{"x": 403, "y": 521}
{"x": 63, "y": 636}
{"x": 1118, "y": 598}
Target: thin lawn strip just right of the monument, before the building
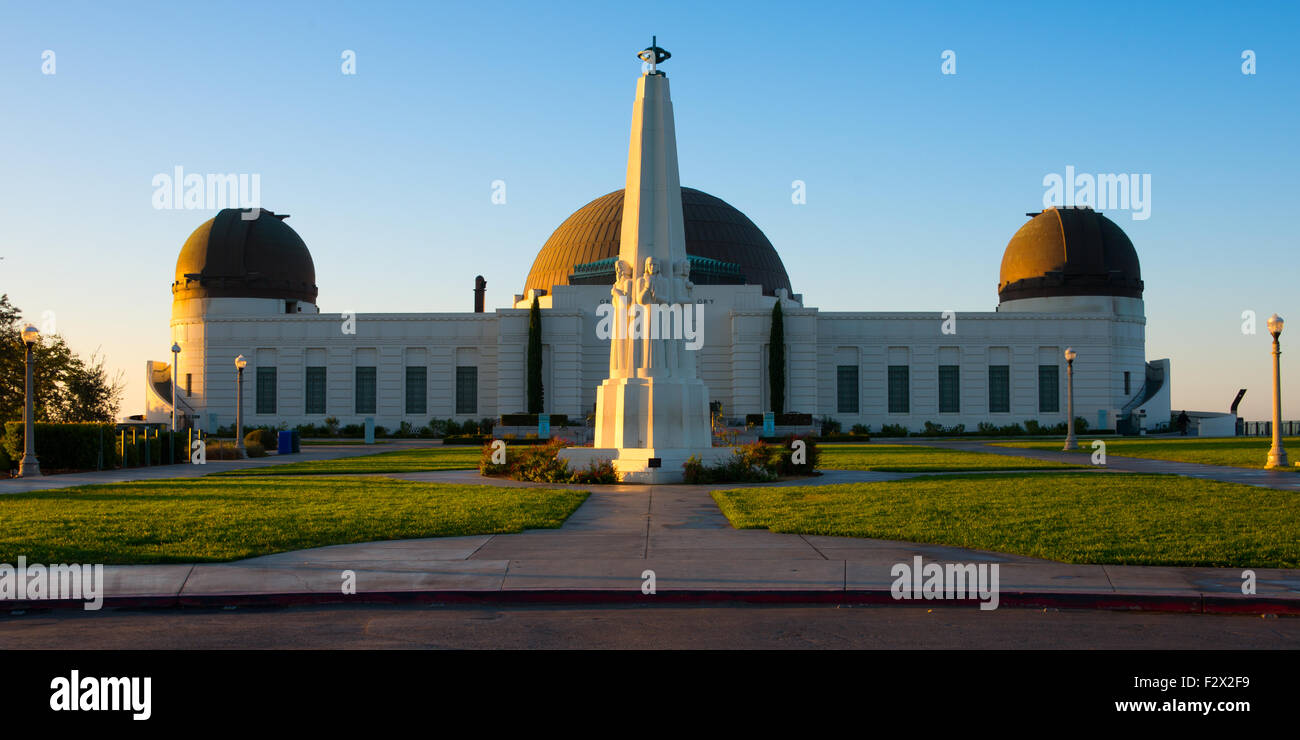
{"x": 913, "y": 458}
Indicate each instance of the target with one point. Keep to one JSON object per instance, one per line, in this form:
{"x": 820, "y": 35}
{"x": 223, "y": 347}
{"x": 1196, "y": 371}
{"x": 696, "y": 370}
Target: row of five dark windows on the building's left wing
{"x": 366, "y": 391}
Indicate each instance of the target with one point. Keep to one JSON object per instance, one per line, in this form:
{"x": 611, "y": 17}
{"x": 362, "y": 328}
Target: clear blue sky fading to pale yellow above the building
{"x": 916, "y": 181}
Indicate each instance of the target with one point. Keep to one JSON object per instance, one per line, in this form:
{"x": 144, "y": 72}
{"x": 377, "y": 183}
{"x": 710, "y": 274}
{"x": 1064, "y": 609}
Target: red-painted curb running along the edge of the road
{"x": 1201, "y": 604}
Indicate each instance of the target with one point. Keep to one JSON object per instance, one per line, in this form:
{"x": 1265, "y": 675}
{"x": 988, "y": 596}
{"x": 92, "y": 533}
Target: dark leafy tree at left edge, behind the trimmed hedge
{"x": 68, "y": 388}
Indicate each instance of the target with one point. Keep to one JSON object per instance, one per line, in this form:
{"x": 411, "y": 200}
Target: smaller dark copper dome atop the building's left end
{"x": 229, "y": 257}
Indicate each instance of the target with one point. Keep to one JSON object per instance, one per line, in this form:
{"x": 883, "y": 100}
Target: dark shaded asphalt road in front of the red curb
{"x": 640, "y": 628}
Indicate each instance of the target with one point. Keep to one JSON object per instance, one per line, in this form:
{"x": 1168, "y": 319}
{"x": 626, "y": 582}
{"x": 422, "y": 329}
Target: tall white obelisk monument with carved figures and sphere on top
{"x": 653, "y": 410}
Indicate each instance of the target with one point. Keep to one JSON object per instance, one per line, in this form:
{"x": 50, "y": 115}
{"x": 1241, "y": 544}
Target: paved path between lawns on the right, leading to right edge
{"x": 1284, "y": 479}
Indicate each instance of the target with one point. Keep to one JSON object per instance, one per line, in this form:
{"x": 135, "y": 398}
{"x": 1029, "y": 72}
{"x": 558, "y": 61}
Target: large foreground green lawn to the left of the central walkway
{"x": 214, "y": 520}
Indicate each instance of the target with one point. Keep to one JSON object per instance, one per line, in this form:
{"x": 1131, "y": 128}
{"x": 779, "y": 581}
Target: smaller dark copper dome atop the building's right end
{"x": 1069, "y": 252}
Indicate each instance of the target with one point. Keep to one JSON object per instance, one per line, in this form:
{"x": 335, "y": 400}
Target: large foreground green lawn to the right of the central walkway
{"x": 1074, "y": 518}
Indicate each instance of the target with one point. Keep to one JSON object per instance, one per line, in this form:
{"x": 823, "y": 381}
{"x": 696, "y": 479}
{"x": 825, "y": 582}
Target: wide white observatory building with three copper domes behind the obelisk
{"x": 246, "y": 285}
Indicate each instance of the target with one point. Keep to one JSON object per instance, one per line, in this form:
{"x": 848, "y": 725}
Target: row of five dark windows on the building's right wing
{"x": 899, "y": 388}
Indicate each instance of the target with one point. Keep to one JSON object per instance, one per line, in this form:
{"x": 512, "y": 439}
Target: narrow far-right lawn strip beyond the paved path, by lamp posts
{"x": 1236, "y": 452}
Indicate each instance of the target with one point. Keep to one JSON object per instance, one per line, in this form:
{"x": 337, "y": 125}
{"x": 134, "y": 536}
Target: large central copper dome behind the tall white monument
{"x": 716, "y": 231}
